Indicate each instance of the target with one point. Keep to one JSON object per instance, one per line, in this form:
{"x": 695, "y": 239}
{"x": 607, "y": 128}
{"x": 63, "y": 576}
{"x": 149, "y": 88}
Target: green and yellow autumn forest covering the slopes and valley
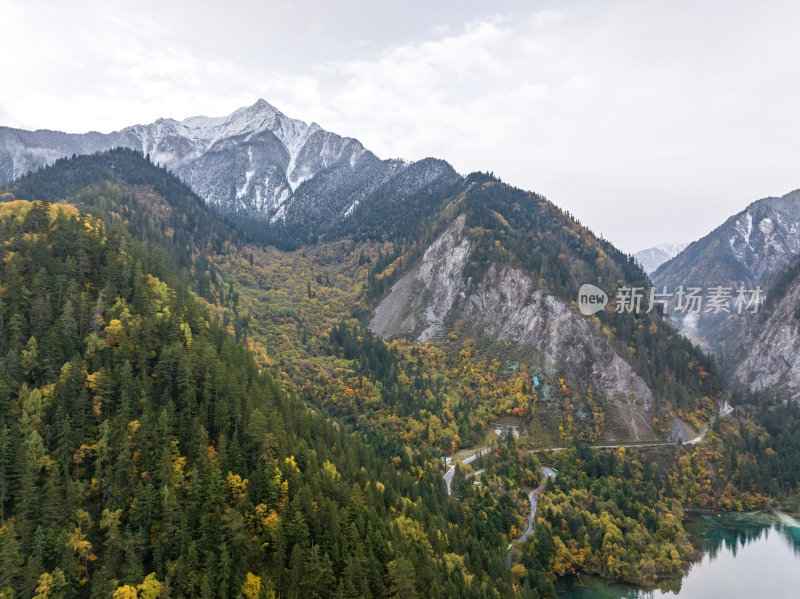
{"x": 189, "y": 410}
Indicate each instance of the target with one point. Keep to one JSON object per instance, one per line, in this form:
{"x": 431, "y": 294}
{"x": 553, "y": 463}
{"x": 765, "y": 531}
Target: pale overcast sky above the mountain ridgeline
{"x": 649, "y": 121}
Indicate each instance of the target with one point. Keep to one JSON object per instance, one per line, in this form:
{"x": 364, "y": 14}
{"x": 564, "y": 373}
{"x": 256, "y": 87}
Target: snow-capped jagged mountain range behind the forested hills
{"x": 255, "y": 165}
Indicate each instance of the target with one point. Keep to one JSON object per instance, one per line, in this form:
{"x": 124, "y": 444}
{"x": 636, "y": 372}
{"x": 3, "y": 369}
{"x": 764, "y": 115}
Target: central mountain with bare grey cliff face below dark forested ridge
{"x": 503, "y": 264}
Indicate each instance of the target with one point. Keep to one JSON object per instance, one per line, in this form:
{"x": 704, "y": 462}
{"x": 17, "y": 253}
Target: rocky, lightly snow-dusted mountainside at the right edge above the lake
{"x": 756, "y": 247}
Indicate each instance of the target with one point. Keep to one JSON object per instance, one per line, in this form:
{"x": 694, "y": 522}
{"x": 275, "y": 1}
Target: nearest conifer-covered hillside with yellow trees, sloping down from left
{"x": 143, "y": 448}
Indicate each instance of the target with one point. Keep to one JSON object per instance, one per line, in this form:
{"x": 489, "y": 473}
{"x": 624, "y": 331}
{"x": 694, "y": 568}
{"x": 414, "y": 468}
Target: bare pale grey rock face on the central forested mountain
{"x": 507, "y": 305}
